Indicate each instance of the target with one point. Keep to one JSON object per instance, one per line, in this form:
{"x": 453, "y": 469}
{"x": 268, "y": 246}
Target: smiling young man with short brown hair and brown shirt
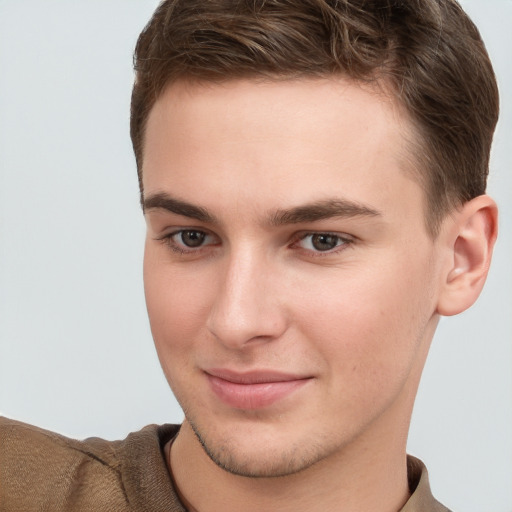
{"x": 313, "y": 177}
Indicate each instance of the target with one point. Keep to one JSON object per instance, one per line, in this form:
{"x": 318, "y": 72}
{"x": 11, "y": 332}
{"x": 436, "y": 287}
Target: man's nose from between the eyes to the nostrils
{"x": 247, "y": 307}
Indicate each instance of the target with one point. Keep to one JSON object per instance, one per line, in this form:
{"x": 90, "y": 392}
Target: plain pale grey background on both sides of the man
{"x": 76, "y": 352}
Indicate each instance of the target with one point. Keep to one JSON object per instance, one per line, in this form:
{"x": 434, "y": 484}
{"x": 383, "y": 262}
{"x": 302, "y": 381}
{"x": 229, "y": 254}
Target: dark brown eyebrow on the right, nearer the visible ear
{"x": 320, "y": 210}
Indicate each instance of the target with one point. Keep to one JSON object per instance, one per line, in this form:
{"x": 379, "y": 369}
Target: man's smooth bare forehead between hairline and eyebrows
{"x": 287, "y": 142}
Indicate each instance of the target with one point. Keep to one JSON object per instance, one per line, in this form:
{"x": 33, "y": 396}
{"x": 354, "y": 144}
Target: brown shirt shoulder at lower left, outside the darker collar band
{"x": 44, "y": 470}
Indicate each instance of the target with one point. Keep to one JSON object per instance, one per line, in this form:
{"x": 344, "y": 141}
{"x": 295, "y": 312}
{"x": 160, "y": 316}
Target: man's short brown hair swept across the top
{"x": 429, "y": 51}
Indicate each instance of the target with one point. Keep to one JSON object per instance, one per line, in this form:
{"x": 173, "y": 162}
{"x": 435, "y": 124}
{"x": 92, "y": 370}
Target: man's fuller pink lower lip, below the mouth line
{"x": 253, "y": 396}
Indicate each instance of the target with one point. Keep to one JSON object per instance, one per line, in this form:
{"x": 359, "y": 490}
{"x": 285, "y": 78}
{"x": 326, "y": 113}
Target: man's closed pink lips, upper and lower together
{"x": 254, "y": 389}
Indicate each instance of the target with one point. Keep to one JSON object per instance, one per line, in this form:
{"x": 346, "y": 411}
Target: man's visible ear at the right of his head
{"x": 469, "y": 240}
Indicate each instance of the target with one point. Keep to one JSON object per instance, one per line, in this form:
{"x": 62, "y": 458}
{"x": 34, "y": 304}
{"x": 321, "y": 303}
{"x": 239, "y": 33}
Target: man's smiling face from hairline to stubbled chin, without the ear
{"x": 290, "y": 280}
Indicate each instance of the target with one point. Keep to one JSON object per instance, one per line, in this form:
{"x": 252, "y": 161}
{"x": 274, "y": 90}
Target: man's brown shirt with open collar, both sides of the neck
{"x": 43, "y": 471}
